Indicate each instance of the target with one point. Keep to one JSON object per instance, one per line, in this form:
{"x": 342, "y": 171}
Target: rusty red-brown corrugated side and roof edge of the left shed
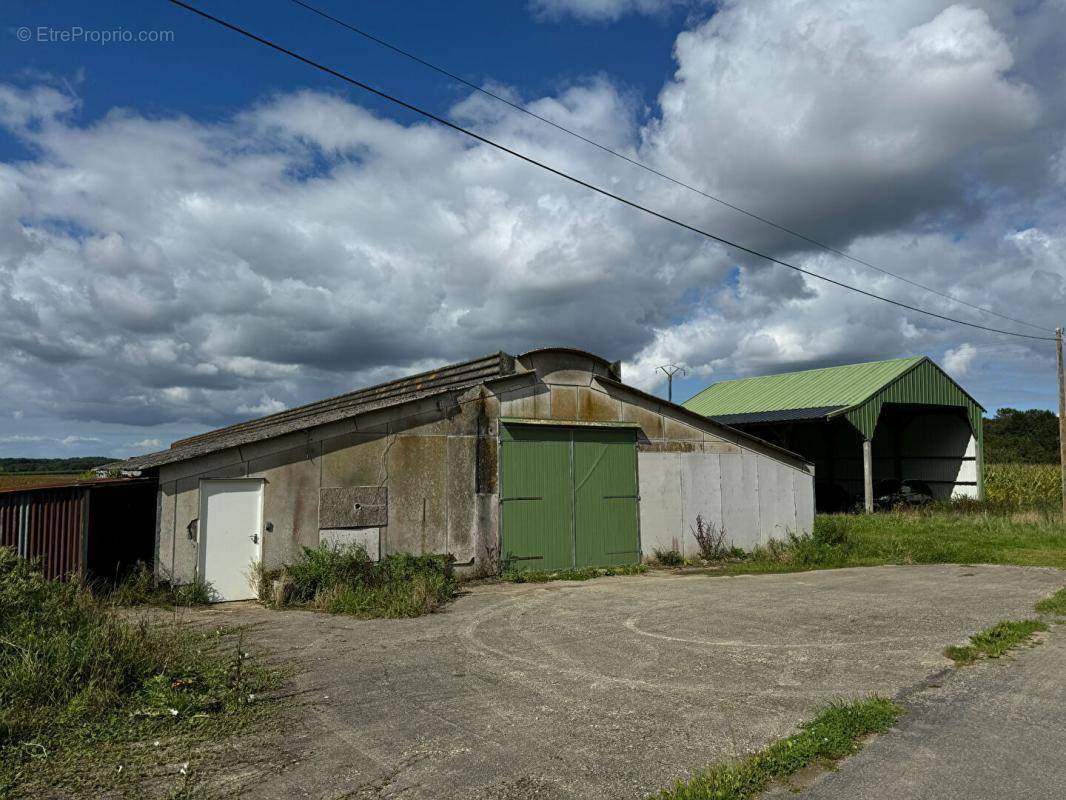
{"x": 51, "y": 524}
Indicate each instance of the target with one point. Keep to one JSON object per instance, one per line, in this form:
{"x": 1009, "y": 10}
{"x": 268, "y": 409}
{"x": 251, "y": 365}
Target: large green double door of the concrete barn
{"x": 569, "y": 498}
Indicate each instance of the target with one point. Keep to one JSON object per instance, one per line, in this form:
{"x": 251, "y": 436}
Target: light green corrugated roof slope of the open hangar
{"x": 812, "y": 389}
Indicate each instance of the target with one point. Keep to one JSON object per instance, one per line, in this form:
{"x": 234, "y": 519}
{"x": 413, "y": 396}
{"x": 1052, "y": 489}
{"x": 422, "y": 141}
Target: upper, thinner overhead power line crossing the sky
{"x": 647, "y": 168}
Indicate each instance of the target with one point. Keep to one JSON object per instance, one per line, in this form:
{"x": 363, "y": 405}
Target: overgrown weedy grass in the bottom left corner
{"x": 85, "y": 691}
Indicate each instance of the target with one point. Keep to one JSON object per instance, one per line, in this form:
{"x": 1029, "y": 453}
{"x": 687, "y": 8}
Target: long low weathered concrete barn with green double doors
{"x": 545, "y": 460}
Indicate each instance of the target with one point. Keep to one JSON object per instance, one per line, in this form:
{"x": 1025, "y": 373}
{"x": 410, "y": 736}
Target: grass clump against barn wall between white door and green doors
{"x": 344, "y": 580}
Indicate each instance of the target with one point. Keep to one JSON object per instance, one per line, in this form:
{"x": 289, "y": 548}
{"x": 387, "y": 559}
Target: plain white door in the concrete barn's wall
{"x": 231, "y": 529}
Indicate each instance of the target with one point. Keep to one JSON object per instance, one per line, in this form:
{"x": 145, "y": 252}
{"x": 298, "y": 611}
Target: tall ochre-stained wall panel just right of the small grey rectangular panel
{"x": 418, "y": 504}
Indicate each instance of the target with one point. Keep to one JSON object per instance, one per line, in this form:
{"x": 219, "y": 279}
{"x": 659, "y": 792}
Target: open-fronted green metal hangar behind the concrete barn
{"x": 902, "y": 420}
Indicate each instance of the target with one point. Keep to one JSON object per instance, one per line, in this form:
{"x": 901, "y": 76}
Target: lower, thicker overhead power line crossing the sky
{"x": 579, "y": 182}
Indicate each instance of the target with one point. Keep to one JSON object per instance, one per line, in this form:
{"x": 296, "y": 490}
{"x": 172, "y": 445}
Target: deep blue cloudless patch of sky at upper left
{"x": 208, "y": 73}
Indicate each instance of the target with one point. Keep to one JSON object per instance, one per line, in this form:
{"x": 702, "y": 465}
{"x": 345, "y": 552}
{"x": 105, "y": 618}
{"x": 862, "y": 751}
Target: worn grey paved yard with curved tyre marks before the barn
{"x": 613, "y": 689}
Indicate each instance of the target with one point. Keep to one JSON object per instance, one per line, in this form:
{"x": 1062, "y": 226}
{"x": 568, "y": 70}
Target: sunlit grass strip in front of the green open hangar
{"x": 961, "y": 535}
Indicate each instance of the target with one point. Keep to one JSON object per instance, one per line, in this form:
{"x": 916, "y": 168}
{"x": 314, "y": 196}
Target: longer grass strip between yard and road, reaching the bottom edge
{"x": 835, "y": 733}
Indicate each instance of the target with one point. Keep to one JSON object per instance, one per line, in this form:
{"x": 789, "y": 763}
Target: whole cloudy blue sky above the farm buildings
{"x": 200, "y": 231}
